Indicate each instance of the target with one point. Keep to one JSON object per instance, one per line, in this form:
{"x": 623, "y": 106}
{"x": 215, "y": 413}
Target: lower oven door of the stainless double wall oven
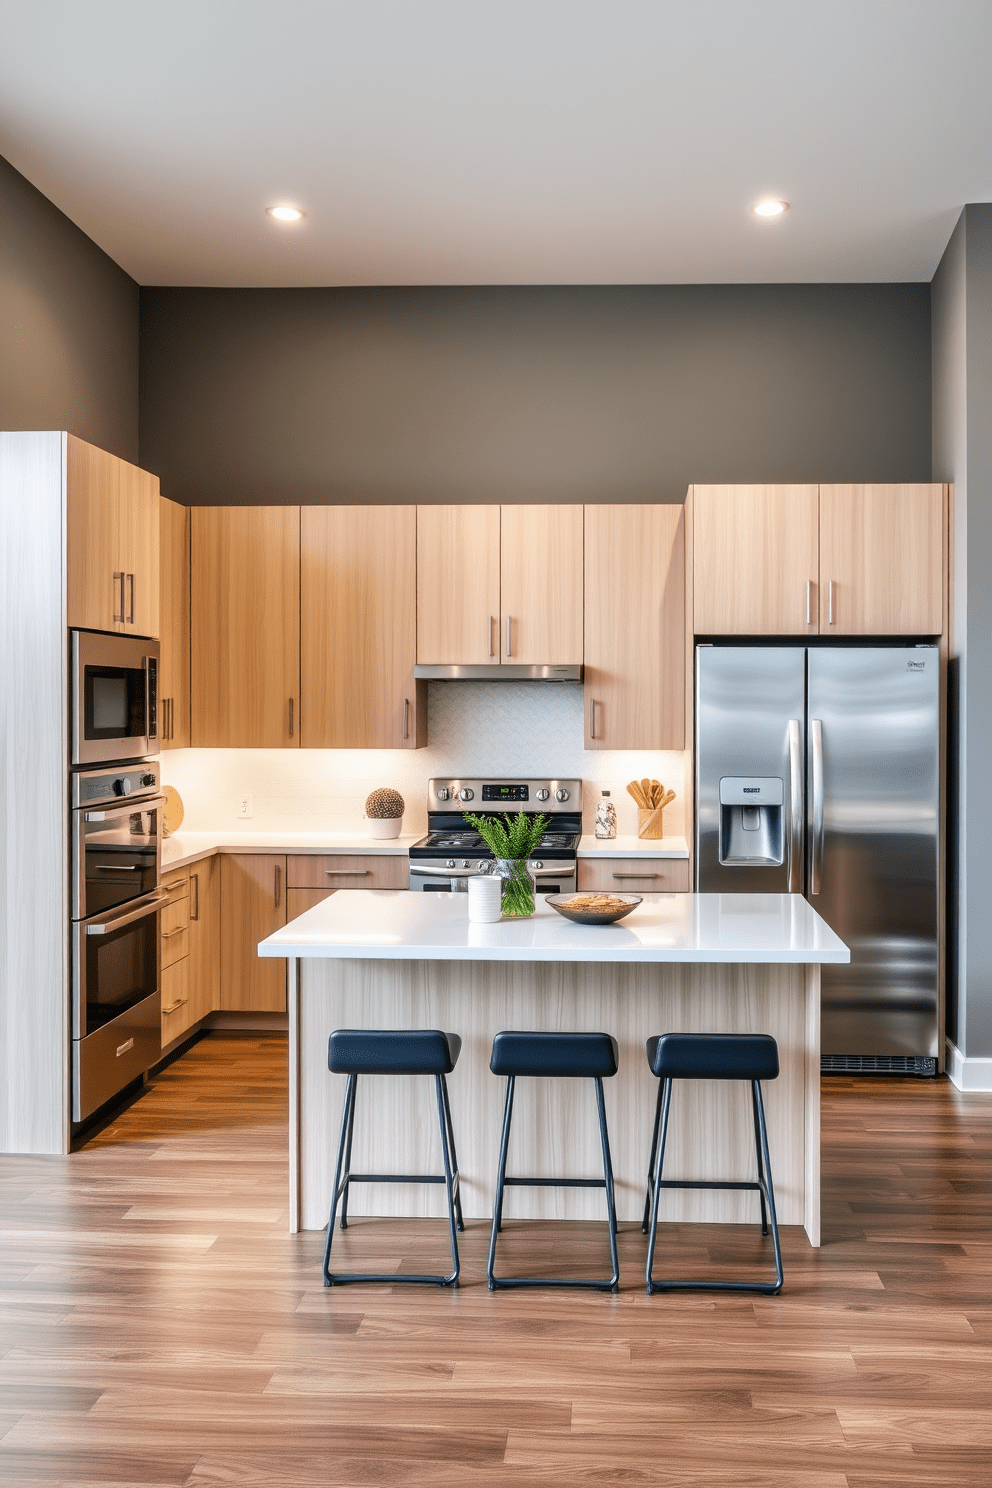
{"x": 115, "y": 965}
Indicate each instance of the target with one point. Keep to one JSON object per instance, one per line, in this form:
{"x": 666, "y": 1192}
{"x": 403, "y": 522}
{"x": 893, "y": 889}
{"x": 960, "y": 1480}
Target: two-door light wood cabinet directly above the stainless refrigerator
{"x": 819, "y": 560}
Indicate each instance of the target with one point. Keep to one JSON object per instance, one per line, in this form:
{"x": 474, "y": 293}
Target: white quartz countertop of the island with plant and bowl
{"x": 398, "y": 926}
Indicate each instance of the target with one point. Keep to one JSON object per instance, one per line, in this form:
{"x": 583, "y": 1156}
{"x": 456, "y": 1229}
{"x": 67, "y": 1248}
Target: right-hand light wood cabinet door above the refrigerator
{"x": 881, "y": 560}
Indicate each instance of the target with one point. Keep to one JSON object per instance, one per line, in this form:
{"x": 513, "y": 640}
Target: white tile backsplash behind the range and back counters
{"x": 475, "y": 728}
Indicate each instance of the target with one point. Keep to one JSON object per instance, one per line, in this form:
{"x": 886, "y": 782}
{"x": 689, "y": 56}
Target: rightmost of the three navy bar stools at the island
{"x": 712, "y": 1057}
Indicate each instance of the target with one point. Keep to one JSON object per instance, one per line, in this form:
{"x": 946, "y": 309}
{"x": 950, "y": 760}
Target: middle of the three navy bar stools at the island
{"x": 575, "y": 1056}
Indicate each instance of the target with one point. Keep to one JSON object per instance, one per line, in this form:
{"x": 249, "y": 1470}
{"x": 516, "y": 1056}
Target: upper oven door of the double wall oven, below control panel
{"x": 117, "y": 855}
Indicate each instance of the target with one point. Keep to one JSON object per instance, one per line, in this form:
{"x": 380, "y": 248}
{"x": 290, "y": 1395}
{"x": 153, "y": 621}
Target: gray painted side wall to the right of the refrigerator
{"x": 963, "y": 453}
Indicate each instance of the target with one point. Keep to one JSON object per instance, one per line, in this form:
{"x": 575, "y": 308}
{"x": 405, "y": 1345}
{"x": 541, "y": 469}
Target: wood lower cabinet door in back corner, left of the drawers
{"x": 252, "y": 907}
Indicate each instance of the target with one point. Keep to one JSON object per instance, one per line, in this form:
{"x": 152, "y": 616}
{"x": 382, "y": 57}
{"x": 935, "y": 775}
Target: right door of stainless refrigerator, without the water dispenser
{"x": 874, "y": 772}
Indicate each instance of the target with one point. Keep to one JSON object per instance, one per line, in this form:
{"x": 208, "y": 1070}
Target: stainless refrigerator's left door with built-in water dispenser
{"x": 750, "y": 751}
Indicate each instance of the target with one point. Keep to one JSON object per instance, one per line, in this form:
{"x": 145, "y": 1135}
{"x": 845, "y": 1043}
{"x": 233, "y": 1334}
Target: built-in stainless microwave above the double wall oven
{"x": 115, "y": 699}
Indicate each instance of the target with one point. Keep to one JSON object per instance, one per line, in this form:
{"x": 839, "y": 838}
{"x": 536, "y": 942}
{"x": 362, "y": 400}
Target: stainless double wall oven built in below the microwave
{"x": 117, "y": 846}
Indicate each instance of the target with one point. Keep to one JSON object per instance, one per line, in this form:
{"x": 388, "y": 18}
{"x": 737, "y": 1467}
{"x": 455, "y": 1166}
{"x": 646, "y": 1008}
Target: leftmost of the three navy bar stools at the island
{"x": 417, "y": 1051}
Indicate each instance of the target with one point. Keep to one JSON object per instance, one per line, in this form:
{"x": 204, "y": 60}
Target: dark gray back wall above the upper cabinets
{"x": 530, "y": 395}
